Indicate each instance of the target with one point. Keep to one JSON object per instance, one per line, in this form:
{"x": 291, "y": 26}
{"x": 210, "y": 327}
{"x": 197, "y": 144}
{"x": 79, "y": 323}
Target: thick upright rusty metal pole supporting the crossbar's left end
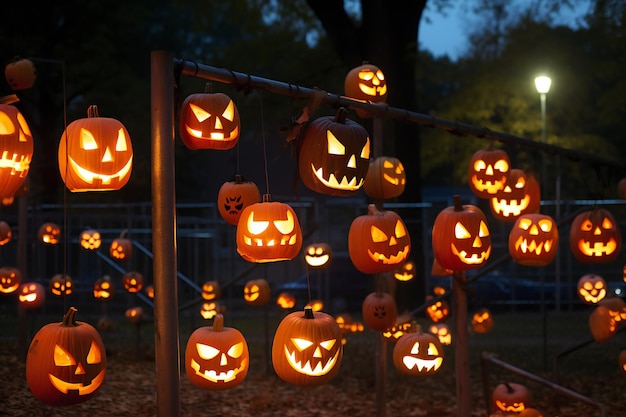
{"x": 166, "y": 344}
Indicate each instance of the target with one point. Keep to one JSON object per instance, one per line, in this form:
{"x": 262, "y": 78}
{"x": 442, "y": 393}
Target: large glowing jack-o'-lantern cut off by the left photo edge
{"x": 16, "y": 142}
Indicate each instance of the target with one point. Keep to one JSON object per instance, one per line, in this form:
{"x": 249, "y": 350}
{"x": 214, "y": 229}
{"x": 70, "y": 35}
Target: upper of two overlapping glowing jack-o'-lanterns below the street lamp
{"x": 488, "y": 172}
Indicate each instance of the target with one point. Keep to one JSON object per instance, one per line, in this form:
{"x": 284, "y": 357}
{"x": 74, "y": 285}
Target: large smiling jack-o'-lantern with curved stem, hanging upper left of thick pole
{"x": 95, "y": 154}
